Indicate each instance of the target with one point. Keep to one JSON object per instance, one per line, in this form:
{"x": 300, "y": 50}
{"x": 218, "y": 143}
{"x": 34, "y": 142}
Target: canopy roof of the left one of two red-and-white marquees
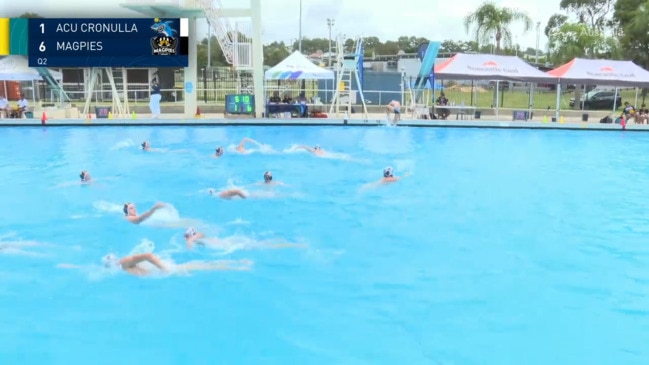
{"x": 465, "y": 66}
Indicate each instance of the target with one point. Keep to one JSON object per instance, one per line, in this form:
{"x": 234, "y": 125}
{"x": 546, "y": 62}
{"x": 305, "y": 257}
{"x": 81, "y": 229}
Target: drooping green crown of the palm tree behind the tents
{"x": 489, "y": 20}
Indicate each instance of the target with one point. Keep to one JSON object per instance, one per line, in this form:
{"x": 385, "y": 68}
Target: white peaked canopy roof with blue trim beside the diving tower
{"x": 298, "y": 67}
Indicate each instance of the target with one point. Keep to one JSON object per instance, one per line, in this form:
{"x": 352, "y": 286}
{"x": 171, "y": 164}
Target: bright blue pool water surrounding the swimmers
{"x": 501, "y": 247}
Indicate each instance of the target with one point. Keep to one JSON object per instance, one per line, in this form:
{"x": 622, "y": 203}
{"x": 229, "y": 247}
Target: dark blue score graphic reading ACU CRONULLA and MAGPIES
{"x": 70, "y": 42}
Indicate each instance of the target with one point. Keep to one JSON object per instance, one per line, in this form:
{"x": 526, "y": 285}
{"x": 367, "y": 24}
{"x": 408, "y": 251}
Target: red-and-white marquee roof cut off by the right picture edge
{"x": 601, "y": 72}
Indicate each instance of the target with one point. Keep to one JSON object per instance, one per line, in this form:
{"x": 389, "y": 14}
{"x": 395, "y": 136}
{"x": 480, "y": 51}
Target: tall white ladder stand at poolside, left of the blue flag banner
{"x": 349, "y": 68}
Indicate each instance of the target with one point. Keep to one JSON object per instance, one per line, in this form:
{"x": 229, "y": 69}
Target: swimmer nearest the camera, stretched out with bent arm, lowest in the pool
{"x": 130, "y": 264}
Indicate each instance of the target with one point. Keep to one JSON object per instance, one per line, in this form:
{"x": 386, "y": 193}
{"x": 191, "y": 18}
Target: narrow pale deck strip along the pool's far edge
{"x": 375, "y": 120}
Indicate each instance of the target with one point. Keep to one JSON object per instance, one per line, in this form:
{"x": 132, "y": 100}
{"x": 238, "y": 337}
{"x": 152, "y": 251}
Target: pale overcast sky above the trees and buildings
{"x": 387, "y": 19}
